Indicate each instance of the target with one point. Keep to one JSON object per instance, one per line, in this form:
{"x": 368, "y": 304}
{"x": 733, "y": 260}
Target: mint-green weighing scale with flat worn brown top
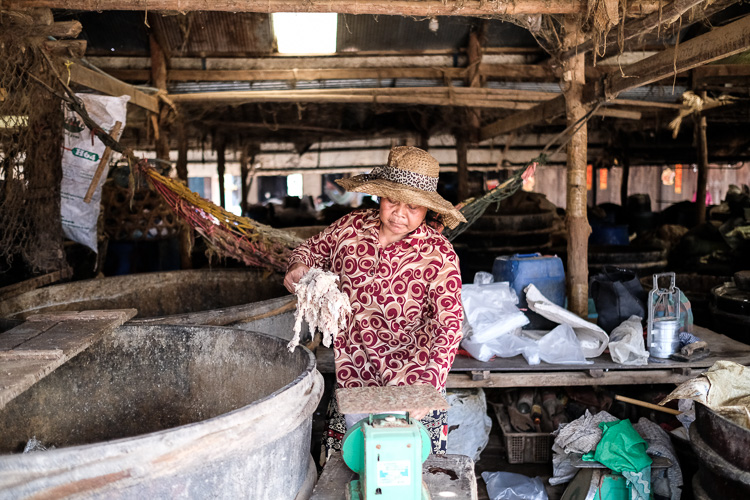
{"x": 387, "y": 449}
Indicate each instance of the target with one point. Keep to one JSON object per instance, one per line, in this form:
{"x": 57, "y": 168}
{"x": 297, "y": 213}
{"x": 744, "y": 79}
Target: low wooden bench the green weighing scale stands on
{"x": 451, "y": 475}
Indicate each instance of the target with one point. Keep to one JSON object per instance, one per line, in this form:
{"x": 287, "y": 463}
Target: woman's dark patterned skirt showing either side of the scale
{"x": 435, "y": 422}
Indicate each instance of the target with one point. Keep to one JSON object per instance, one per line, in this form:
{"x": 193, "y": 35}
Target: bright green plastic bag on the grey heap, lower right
{"x": 621, "y": 448}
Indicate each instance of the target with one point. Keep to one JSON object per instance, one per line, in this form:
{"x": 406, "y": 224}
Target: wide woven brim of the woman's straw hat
{"x": 388, "y": 189}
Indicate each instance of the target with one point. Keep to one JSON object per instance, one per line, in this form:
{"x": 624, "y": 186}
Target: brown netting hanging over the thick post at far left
{"x": 31, "y": 123}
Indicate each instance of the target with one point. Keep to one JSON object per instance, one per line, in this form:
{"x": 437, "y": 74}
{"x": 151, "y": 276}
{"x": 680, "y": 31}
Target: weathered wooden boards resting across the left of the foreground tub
{"x": 44, "y": 351}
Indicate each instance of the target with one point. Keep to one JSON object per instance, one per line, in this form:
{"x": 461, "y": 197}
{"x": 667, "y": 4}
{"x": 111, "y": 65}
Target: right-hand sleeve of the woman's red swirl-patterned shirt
{"x": 445, "y": 319}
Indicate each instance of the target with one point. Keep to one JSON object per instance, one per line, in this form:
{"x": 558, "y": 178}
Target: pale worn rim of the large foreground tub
{"x": 127, "y": 461}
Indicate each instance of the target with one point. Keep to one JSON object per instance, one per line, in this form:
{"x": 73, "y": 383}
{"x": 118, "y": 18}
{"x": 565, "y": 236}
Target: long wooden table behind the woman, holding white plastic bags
{"x": 516, "y": 372}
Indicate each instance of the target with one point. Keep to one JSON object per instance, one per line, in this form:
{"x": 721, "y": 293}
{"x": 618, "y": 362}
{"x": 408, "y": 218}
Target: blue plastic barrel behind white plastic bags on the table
{"x": 544, "y": 271}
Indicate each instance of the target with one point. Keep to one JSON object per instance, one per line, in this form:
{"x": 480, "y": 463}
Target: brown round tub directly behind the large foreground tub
{"x": 198, "y": 297}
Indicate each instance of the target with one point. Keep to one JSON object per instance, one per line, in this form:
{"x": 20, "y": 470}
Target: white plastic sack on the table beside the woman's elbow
{"x": 490, "y": 310}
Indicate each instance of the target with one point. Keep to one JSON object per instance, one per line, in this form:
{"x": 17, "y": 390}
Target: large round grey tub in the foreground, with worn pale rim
{"x": 167, "y": 412}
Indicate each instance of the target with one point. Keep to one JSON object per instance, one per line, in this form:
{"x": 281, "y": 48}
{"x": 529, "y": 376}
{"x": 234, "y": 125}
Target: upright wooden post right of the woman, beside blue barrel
{"x": 577, "y": 221}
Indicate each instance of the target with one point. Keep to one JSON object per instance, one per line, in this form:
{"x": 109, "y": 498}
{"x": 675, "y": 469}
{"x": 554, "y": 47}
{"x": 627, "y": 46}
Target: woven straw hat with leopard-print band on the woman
{"x": 409, "y": 177}
